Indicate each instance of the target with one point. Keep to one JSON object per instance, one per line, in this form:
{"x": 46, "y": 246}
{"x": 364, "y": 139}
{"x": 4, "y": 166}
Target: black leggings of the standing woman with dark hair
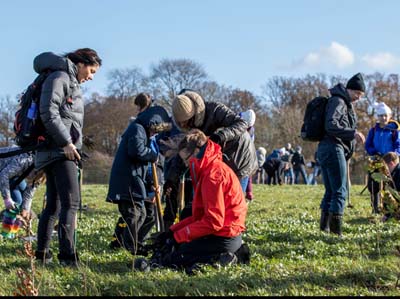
{"x": 62, "y": 201}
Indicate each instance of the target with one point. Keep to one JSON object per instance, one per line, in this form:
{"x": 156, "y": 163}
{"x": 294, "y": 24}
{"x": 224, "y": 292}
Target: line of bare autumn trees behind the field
{"x": 279, "y": 109}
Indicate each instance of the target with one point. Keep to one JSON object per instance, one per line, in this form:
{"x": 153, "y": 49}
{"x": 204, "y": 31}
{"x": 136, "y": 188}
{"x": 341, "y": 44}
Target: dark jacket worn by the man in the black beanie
{"x": 340, "y": 120}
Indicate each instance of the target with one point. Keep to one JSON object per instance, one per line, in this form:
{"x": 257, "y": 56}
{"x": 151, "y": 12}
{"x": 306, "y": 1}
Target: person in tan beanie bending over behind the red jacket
{"x": 223, "y": 126}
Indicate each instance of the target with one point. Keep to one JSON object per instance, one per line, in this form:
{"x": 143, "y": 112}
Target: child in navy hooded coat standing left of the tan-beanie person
{"x": 127, "y": 186}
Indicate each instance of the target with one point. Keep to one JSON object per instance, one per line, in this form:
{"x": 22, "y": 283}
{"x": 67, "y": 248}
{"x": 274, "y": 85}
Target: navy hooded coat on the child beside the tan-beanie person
{"x": 128, "y": 172}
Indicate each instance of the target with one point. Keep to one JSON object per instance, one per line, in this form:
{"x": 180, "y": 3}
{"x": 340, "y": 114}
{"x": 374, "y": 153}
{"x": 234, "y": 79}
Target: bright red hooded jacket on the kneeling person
{"x": 219, "y": 207}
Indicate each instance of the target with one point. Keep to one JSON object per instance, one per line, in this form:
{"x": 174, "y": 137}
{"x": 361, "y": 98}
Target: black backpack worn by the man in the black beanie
{"x": 314, "y": 118}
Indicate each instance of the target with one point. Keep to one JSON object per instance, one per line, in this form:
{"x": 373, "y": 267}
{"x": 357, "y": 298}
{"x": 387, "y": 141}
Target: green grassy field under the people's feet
{"x": 290, "y": 256}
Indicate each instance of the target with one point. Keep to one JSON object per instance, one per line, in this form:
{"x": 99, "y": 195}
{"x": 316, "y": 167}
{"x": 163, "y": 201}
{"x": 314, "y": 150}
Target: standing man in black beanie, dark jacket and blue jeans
{"x": 336, "y": 148}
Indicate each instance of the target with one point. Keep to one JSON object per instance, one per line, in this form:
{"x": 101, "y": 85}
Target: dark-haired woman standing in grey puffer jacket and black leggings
{"x": 61, "y": 111}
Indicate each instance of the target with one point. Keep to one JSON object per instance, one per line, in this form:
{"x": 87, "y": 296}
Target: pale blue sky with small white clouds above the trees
{"x": 239, "y": 43}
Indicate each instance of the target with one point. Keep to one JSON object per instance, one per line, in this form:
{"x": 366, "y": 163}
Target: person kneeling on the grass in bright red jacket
{"x": 214, "y": 231}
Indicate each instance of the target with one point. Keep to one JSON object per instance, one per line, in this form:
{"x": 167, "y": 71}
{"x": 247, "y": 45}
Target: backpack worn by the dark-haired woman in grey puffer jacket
{"x": 28, "y": 127}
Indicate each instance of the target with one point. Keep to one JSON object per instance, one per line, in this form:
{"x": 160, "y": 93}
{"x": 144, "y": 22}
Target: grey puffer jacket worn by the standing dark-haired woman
{"x": 61, "y": 107}
